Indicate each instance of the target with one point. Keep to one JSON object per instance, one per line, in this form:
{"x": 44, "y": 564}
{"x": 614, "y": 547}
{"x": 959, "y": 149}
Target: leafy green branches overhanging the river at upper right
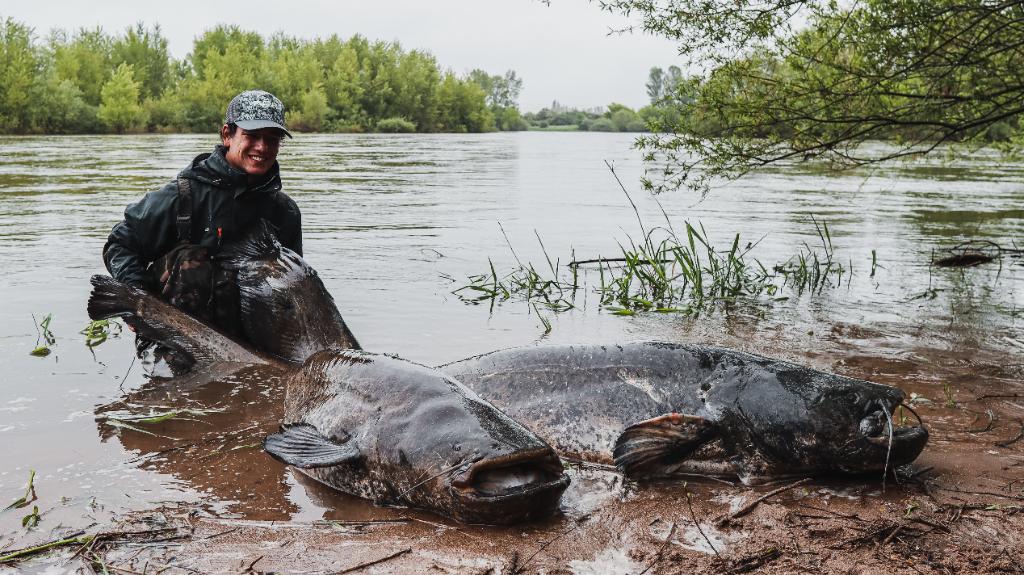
{"x": 779, "y": 86}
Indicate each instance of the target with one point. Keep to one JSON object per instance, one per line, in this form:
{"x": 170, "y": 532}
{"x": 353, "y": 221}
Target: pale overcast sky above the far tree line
{"x": 563, "y": 52}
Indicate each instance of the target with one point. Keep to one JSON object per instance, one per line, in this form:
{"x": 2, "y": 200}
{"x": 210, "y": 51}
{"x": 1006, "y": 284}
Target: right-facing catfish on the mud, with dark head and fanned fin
{"x": 659, "y": 410}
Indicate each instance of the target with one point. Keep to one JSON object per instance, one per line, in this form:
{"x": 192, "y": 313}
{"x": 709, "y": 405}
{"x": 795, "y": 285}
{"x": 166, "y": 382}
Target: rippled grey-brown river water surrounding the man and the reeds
{"x": 395, "y": 224}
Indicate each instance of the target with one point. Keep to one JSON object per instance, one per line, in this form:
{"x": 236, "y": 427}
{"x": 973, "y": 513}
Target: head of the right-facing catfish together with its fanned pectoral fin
{"x": 773, "y": 420}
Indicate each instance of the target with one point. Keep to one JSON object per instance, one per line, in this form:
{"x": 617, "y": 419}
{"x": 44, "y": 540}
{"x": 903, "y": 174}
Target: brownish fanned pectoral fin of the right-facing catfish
{"x": 649, "y": 448}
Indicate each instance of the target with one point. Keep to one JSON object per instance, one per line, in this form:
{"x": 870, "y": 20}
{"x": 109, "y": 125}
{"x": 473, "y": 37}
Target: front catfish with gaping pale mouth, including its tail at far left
{"x": 375, "y": 426}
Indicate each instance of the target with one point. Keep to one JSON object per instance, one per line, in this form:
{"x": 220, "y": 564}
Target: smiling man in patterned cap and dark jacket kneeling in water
{"x": 167, "y": 240}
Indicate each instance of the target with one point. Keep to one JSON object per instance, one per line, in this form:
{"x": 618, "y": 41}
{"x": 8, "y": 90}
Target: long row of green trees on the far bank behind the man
{"x": 92, "y": 82}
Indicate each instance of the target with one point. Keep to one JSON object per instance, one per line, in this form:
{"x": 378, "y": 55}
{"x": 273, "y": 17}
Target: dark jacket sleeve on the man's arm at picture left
{"x": 147, "y": 233}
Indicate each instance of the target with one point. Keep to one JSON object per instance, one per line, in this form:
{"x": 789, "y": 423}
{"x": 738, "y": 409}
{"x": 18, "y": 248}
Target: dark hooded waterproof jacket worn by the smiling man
{"x": 223, "y": 200}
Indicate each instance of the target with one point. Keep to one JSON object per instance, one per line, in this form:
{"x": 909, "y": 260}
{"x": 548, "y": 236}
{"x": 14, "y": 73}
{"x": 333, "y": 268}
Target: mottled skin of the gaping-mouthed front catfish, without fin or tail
{"x": 420, "y": 433}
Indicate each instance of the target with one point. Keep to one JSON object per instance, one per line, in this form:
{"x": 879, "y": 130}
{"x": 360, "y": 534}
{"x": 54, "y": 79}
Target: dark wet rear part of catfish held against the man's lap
{"x": 286, "y": 311}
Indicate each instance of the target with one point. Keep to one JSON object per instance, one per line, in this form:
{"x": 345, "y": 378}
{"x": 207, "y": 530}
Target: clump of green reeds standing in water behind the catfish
{"x": 666, "y": 273}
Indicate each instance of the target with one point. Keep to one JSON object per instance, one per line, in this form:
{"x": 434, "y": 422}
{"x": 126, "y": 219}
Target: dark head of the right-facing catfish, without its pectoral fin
{"x": 795, "y": 421}
